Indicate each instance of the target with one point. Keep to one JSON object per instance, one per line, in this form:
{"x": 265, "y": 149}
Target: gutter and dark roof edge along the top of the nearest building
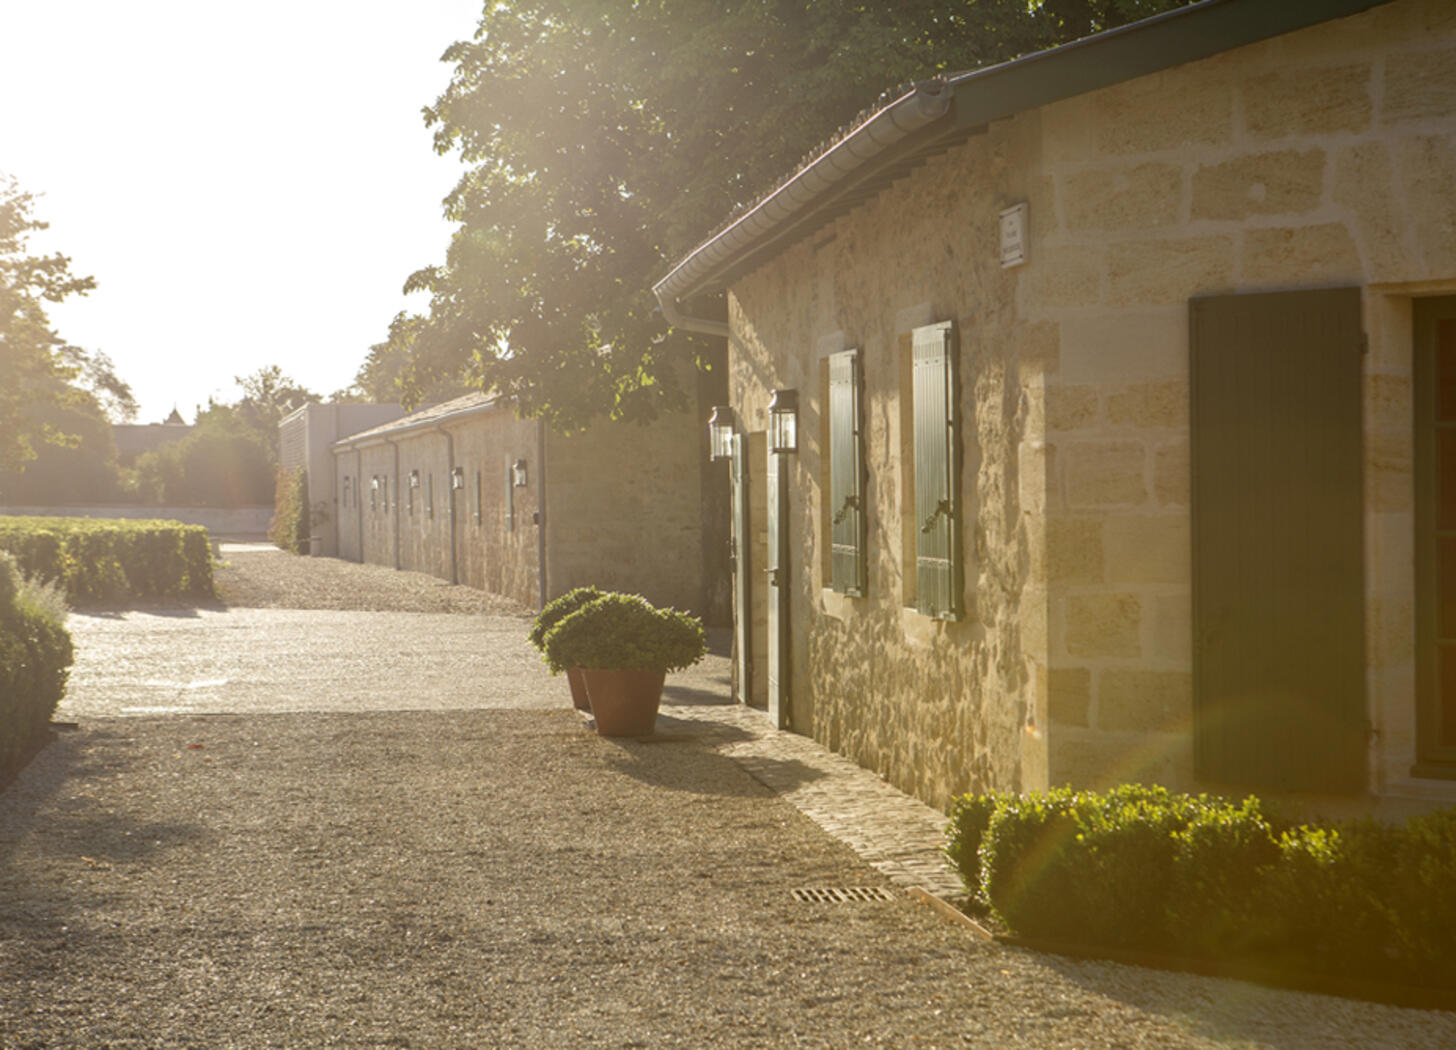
{"x": 934, "y": 117}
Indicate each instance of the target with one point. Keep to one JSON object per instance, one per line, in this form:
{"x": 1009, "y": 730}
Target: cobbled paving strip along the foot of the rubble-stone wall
{"x": 895, "y": 834}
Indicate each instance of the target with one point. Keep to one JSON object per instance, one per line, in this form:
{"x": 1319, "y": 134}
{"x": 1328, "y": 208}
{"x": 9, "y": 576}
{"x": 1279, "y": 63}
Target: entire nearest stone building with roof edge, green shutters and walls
{"x": 1126, "y": 432}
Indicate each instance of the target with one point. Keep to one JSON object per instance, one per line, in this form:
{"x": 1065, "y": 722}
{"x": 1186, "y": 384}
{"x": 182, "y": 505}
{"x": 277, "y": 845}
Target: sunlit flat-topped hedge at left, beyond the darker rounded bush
{"x": 104, "y": 560}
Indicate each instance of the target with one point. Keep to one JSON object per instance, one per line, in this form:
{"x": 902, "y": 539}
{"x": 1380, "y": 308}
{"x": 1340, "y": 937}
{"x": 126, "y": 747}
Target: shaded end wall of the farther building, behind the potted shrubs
{"x": 625, "y": 510}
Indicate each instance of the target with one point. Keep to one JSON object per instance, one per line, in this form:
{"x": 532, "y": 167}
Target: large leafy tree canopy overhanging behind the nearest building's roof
{"x": 604, "y": 139}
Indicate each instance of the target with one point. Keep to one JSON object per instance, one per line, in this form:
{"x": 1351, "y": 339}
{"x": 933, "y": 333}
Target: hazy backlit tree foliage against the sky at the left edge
{"x": 52, "y": 394}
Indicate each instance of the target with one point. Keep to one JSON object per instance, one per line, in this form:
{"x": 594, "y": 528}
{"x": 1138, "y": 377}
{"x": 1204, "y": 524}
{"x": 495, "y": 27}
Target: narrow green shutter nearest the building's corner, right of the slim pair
{"x": 937, "y": 473}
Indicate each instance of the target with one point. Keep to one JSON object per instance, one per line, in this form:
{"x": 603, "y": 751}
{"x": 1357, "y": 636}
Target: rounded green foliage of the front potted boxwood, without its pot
{"x": 625, "y": 633}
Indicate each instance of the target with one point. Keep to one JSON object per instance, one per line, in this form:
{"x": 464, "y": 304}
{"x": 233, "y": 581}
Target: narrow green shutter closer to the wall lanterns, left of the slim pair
{"x": 847, "y": 487}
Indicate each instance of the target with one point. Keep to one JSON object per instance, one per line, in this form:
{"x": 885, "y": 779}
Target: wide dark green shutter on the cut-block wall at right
{"x": 1278, "y": 541}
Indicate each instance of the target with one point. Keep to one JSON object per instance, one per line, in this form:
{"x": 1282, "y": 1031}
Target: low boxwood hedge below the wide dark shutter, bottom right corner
{"x": 1211, "y": 879}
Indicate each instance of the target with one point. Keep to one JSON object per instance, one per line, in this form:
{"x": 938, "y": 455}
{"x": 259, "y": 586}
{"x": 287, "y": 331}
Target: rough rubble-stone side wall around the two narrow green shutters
{"x": 937, "y": 708}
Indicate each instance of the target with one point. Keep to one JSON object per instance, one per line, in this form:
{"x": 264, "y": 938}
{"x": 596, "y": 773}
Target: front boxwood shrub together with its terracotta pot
{"x": 625, "y": 649}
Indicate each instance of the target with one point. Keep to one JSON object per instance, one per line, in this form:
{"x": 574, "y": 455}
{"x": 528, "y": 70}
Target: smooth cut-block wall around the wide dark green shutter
{"x": 1321, "y": 158}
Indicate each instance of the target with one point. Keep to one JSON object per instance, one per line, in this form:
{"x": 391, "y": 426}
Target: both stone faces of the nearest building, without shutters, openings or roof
{"x": 1323, "y": 158}
